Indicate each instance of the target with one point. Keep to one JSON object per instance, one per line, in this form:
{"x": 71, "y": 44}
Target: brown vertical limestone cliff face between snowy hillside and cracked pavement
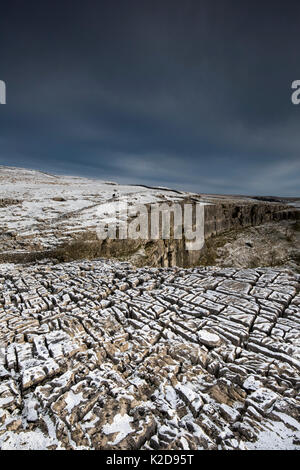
{"x": 220, "y": 219}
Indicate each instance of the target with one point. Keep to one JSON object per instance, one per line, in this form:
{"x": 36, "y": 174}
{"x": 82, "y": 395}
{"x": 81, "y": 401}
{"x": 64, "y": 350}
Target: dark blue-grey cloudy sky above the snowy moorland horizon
{"x": 194, "y": 95}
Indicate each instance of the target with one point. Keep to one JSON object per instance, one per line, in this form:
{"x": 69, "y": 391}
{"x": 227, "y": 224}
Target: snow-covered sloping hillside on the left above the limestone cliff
{"x": 49, "y": 209}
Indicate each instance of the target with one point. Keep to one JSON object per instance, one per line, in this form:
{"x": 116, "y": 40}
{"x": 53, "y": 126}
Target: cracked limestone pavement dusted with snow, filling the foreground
{"x": 100, "y": 355}
